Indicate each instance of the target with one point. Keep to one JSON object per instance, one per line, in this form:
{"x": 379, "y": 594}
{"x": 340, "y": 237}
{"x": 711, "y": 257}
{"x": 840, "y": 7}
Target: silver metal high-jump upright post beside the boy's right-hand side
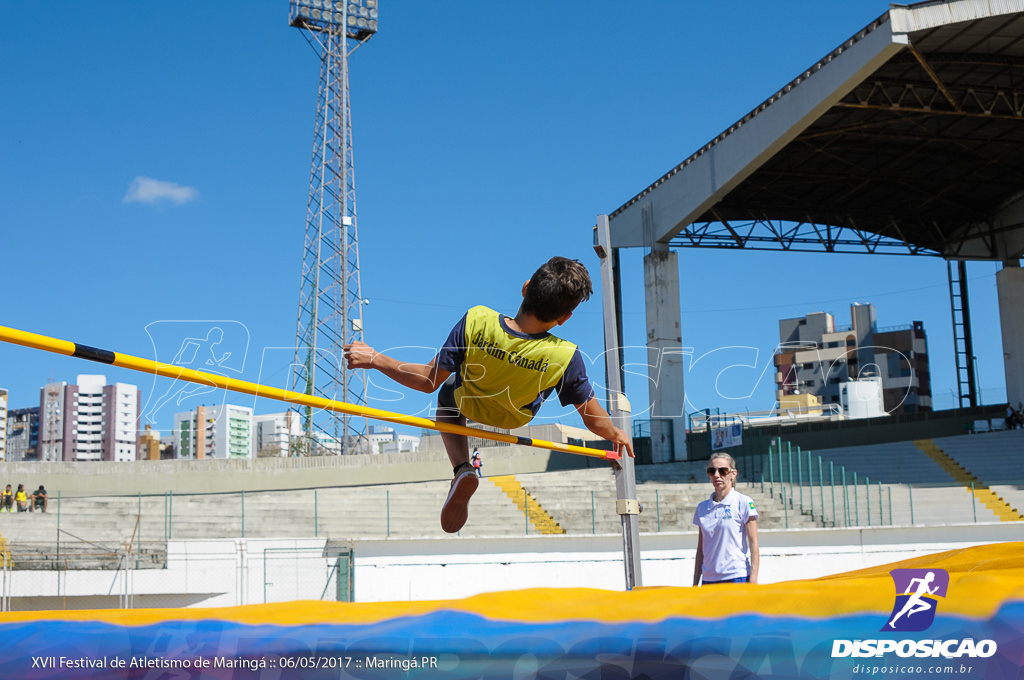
{"x": 626, "y": 492}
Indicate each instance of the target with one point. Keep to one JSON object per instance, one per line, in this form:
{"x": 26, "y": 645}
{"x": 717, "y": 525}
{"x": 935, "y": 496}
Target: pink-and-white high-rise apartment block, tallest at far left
{"x": 89, "y": 421}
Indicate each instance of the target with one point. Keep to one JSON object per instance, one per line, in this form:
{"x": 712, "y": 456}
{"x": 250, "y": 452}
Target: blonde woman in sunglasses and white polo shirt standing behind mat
{"x": 729, "y": 524}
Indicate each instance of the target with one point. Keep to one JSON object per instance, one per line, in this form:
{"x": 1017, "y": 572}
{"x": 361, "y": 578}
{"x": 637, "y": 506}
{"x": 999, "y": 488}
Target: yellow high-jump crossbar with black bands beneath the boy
{"x": 68, "y": 349}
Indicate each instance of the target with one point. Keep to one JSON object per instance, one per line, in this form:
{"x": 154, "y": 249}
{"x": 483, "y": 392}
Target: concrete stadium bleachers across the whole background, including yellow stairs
{"x": 907, "y": 487}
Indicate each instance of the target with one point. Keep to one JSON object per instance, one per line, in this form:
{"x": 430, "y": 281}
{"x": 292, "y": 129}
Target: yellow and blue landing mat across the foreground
{"x": 968, "y": 624}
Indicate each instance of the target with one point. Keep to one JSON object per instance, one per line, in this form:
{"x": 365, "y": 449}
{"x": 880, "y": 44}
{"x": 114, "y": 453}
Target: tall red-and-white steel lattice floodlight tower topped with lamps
{"x": 330, "y": 295}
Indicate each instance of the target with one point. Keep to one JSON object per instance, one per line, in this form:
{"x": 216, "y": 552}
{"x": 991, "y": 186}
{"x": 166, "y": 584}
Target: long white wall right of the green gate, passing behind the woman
{"x": 425, "y": 570}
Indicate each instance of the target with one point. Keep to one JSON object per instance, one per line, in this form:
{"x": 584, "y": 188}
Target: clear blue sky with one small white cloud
{"x": 155, "y": 165}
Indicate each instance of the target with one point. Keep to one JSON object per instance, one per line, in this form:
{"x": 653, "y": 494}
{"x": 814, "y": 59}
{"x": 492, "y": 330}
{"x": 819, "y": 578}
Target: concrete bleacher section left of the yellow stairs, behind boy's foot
{"x": 410, "y": 511}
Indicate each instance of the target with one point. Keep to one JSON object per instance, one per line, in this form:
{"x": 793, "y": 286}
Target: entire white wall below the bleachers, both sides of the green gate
{"x": 240, "y": 572}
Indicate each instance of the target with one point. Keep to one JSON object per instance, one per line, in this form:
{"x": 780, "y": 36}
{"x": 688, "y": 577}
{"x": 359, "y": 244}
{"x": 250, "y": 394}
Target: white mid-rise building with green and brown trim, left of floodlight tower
{"x": 220, "y": 432}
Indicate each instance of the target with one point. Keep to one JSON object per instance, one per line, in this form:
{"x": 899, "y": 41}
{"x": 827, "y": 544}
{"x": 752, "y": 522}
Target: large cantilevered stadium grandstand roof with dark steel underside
{"x": 907, "y": 139}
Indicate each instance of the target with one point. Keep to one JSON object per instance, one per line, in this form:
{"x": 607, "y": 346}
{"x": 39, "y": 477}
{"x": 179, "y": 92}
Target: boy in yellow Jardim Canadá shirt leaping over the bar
{"x": 497, "y": 371}
